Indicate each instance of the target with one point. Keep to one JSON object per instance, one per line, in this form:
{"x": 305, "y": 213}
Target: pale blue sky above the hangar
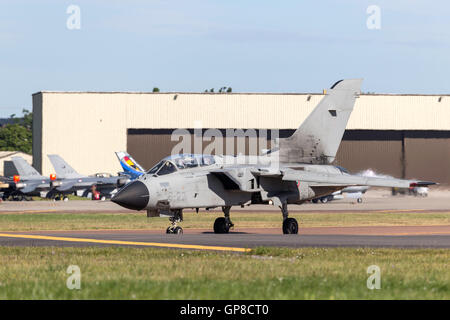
{"x": 252, "y": 46}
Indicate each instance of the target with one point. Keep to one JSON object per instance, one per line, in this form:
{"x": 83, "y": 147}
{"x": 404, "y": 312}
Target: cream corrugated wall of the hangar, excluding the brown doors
{"x": 87, "y": 128}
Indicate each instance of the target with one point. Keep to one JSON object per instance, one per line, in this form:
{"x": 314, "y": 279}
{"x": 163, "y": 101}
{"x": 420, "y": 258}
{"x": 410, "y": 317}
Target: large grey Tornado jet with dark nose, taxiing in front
{"x": 297, "y": 170}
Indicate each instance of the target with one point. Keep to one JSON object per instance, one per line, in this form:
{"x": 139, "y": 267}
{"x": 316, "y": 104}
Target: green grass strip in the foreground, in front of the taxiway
{"x": 264, "y": 273}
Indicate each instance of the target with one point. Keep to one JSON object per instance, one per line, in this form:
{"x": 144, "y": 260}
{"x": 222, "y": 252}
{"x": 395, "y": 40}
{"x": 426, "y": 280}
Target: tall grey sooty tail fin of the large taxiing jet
{"x": 319, "y": 136}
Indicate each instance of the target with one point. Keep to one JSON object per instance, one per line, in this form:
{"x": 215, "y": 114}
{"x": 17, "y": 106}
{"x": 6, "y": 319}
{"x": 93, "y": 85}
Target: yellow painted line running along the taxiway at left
{"x": 120, "y": 242}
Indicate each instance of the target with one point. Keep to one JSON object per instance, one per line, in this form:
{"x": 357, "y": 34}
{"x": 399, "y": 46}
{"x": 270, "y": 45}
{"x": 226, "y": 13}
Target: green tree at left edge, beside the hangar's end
{"x": 18, "y": 136}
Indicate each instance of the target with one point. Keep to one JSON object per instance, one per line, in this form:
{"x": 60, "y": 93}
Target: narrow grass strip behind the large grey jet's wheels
{"x": 92, "y": 221}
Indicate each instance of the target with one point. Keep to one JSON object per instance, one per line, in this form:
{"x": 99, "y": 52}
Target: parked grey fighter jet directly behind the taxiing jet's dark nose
{"x": 71, "y": 181}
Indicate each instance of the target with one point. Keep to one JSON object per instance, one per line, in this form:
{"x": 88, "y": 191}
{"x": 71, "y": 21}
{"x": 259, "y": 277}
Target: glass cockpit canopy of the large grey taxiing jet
{"x": 180, "y": 162}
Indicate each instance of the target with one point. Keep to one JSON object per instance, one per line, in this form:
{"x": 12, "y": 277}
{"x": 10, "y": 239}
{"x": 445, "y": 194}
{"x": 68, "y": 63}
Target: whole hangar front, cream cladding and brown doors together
{"x": 86, "y": 128}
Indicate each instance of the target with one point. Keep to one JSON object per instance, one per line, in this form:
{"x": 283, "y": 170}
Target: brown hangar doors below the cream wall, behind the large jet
{"x": 407, "y": 154}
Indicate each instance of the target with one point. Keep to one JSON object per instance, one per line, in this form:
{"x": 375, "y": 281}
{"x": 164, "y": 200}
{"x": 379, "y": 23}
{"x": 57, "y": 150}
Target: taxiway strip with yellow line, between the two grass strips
{"x": 241, "y": 240}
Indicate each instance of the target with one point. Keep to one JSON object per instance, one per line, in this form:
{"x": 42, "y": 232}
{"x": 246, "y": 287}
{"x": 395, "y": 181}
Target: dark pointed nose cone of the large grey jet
{"x": 132, "y": 196}
